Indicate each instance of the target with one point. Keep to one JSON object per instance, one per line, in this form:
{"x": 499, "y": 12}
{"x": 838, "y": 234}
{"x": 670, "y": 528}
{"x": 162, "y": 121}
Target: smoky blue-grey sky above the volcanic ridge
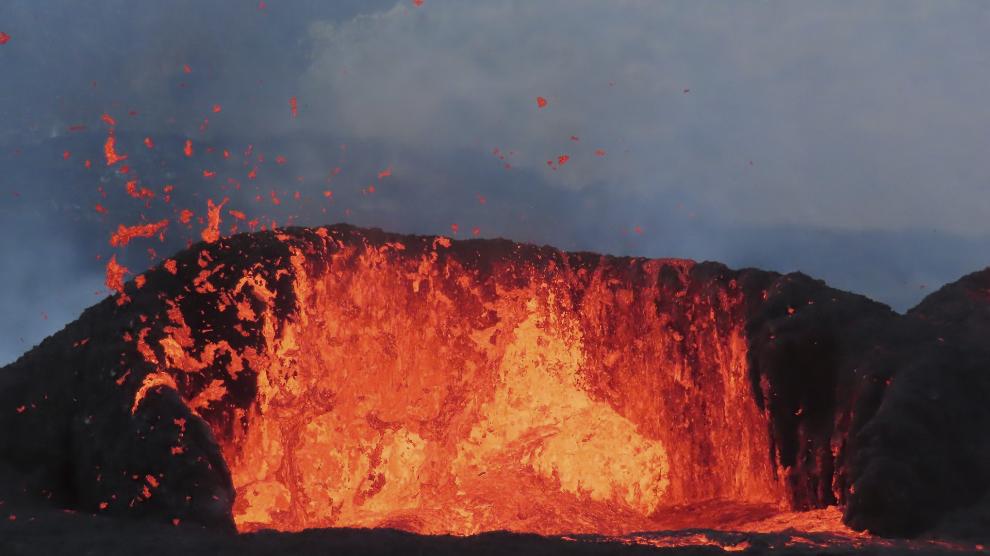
{"x": 848, "y": 140}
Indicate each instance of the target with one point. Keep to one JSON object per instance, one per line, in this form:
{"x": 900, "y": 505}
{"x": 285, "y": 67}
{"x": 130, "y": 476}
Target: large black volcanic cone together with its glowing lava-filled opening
{"x": 340, "y": 377}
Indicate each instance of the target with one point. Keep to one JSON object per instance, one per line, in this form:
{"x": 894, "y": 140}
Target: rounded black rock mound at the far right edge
{"x": 921, "y": 449}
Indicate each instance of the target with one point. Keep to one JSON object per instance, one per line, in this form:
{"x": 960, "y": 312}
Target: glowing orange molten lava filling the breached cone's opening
{"x": 408, "y": 386}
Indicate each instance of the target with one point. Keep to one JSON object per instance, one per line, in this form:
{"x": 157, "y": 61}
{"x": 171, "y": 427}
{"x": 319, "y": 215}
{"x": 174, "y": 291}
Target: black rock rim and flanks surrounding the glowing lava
{"x": 883, "y": 414}
